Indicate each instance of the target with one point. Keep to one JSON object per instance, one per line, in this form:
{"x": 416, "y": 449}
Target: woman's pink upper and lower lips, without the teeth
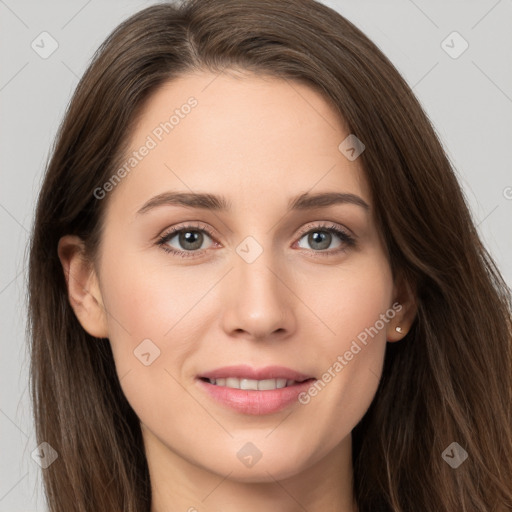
{"x": 252, "y": 401}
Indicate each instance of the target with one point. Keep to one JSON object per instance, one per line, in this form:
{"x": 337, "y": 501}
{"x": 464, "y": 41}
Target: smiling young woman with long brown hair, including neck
{"x": 255, "y": 369}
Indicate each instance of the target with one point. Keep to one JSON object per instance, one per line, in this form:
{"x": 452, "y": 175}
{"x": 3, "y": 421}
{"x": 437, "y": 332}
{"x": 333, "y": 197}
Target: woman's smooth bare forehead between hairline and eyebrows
{"x": 243, "y": 134}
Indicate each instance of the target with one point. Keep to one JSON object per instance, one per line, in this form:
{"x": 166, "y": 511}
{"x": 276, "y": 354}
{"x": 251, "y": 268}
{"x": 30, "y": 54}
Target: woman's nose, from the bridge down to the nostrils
{"x": 259, "y": 302}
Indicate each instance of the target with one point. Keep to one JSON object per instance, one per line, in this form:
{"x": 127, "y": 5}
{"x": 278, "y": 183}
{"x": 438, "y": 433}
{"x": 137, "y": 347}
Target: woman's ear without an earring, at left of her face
{"x": 83, "y": 286}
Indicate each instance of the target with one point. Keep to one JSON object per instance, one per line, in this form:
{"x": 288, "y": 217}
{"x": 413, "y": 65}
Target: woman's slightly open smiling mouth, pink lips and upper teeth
{"x": 254, "y": 391}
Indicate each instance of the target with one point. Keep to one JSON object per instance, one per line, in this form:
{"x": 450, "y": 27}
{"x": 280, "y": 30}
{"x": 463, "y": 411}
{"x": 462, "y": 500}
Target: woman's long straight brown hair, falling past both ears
{"x": 449, "y": 380}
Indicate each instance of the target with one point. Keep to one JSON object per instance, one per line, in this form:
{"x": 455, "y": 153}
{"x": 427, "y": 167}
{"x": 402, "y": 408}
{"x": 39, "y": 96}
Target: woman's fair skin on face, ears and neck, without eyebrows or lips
{"x": 258, "y": 141}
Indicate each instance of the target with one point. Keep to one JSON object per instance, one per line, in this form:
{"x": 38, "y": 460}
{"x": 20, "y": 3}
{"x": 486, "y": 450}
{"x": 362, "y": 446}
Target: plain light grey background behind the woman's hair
{"x": 469, "y": 100}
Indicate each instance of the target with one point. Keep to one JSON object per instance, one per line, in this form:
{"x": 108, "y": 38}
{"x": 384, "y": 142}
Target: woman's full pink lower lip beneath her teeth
{"x": 256, "y": 402}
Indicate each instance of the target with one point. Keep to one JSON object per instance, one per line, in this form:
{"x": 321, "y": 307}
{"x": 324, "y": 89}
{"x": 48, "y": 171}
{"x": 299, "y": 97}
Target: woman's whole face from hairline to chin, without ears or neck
{"x": 254, "y": 286}
